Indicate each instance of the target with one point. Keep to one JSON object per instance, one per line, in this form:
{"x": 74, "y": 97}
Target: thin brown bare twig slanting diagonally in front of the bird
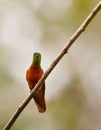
{"x": 48, "y": 71}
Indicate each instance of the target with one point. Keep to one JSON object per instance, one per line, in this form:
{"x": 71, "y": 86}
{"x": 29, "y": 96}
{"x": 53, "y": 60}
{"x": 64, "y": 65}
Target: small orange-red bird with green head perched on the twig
{"x": 33, "y": 75}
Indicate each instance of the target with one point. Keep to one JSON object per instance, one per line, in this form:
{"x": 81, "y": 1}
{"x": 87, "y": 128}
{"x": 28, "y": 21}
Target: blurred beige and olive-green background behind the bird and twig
{"x": 73, "y": 89}
